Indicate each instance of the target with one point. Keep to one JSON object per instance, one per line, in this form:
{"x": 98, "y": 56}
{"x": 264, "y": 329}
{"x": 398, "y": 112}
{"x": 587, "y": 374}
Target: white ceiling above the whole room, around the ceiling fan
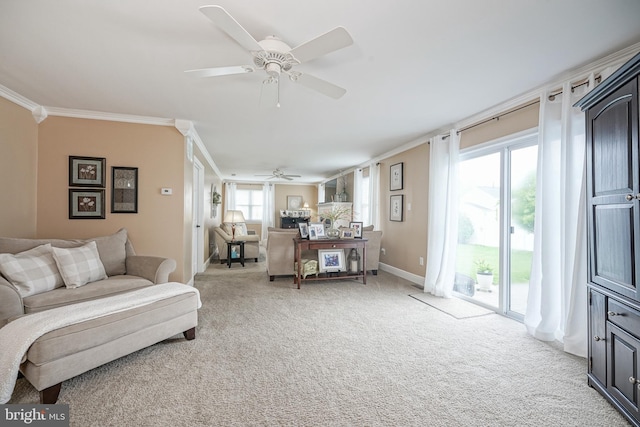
{"x": 415, "y": 66}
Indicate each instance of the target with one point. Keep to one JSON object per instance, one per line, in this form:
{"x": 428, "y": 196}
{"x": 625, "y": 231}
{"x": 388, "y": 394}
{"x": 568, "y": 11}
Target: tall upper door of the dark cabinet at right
{"x": 613, "y": 184}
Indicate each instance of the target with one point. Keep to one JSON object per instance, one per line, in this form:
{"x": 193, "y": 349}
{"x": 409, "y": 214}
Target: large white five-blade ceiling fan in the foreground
{"x": 276, "y": 57}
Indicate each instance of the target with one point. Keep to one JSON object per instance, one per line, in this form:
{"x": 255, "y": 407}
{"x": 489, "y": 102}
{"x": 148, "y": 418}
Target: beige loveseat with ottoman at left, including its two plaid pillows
{"x": 42, "y": 277}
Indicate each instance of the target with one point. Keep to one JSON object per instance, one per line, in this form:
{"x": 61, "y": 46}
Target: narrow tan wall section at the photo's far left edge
{"x": 18, "y": 171}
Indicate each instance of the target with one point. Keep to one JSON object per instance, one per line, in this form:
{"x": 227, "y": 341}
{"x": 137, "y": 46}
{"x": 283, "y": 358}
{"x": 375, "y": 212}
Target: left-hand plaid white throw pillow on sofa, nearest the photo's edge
{"x": 33, "y": 271}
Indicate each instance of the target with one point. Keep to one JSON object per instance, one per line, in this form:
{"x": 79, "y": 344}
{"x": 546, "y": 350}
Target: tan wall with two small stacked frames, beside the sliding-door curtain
{"x": 405, "y": 242}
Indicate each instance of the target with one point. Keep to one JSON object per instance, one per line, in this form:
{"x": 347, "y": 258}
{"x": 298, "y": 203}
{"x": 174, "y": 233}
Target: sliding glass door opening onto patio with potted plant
{"x": 495, "y": 228}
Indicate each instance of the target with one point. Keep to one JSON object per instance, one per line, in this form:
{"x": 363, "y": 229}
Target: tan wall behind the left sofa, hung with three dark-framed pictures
{"x": 157, "y": 151}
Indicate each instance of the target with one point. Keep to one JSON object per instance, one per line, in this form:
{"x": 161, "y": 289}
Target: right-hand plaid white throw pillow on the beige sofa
{"x": 79, "y": 266}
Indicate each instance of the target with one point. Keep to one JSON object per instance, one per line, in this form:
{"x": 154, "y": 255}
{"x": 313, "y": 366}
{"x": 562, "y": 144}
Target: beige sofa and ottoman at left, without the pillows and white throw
{"x": 69, "y": 351}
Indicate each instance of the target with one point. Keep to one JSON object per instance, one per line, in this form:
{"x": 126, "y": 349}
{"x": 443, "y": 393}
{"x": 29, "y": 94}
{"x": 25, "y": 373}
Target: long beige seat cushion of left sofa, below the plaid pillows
{"x": 100, "y": 289}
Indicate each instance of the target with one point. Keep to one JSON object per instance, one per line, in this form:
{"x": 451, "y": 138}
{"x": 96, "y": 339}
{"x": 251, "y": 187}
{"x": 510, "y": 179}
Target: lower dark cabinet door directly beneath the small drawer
{"x": 622, "y": 352}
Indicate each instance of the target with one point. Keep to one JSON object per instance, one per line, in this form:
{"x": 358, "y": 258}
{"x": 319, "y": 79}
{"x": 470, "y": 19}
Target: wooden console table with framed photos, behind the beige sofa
{"x": 304, "y": 244}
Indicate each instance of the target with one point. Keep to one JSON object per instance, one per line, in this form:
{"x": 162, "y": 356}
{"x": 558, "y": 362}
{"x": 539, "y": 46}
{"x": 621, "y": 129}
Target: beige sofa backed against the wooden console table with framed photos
{"x": 280, "y": 251}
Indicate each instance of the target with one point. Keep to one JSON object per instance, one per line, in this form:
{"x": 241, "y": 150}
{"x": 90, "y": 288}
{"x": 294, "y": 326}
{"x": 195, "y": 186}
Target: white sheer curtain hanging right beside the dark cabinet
{"x": 556, "y": 306}
